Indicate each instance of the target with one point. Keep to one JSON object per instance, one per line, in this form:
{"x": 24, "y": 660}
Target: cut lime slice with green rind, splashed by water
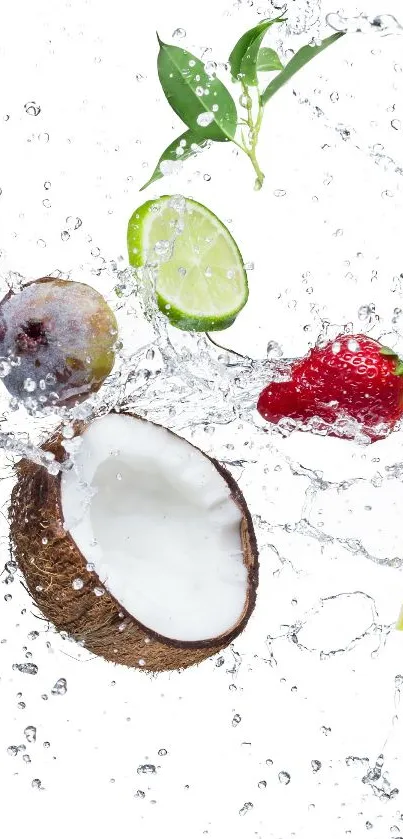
{"x": 201, "y": 281}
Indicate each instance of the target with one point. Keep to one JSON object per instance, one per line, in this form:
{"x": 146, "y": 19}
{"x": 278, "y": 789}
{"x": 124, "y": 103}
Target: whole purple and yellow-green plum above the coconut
{"x": 59, "y": 335}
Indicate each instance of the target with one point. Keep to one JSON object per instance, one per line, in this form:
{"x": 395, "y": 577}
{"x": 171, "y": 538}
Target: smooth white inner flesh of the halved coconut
{"x": 160, "y": 526}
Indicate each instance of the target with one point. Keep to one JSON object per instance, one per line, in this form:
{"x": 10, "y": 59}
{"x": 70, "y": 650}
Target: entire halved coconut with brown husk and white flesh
{"x": 144, "y": 551}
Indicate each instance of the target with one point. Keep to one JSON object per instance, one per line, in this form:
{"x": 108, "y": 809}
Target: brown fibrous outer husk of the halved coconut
{"x": 100, "y": 624}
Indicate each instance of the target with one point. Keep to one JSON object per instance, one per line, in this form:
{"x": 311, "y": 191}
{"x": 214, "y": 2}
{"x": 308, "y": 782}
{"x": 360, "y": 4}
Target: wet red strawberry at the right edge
{"x": 352, "y": 377}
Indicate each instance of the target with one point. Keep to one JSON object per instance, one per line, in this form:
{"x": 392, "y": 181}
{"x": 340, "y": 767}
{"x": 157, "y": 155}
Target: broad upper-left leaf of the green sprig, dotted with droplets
{"x": 203, "y": 103}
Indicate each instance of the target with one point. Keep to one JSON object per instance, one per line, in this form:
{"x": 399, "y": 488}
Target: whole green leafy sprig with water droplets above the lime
{"x": 208, "y": 109}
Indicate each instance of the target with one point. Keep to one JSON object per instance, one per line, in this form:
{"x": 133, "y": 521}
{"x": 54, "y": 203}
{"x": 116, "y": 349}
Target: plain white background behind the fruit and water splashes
{"x": 91, "y": 67}
